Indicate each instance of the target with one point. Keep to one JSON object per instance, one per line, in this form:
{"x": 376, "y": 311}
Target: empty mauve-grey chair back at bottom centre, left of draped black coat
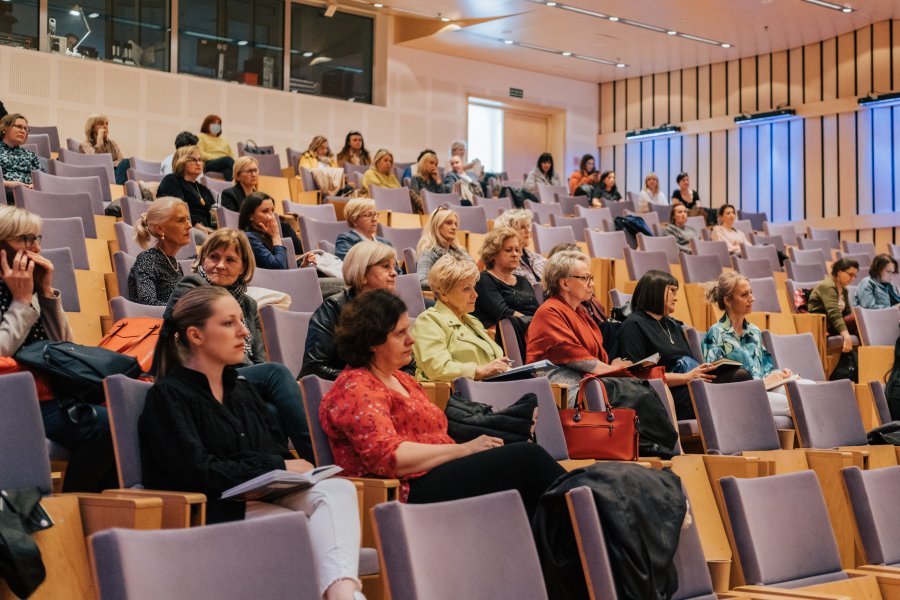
{"x": 427, "y": 549}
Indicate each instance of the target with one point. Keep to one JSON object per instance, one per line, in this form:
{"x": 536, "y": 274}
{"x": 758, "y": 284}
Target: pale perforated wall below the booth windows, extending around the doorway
{"x": 426, "y": 103}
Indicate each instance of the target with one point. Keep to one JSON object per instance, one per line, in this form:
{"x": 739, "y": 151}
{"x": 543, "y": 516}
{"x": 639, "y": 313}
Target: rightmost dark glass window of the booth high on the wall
{"x": 331, "y": 56}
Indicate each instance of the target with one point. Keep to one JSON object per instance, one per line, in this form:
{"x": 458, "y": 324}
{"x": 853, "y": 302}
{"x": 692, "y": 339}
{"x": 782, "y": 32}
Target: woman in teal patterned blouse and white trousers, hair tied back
{"x": 735, "y": 338}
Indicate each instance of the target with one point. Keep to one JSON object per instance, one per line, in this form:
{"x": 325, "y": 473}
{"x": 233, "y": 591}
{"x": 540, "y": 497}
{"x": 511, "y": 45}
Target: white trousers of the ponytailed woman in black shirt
{"x": 333, "y": 511}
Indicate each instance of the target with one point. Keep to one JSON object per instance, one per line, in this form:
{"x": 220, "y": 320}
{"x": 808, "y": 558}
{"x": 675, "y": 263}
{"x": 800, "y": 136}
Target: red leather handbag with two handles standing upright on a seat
{"x": 603, "y": 435}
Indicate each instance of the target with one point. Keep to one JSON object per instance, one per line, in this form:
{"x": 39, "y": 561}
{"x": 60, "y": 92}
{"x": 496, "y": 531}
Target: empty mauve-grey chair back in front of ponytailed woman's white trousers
{"x": 268, "y": 557}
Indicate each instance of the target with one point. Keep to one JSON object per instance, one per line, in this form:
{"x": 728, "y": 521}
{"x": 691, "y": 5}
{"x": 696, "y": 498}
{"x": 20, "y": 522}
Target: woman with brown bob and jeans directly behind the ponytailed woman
{"x": 226, "y": 261}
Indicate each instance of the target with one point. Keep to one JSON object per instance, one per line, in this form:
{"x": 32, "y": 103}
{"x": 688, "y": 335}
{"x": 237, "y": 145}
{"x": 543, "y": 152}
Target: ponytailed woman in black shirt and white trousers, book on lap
{"x": 205, "y": 429}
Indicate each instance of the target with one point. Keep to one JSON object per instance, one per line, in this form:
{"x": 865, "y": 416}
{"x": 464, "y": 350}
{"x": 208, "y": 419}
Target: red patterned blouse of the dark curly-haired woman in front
{"x": 366, "y": 421}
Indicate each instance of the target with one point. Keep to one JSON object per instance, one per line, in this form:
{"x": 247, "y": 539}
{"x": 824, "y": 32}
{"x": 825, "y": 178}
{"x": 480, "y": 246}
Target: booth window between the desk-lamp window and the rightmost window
{"x": 236, "y": 40}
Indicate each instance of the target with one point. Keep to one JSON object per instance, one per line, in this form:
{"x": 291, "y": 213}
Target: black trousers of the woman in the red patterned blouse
{"x": 524, "y": 466}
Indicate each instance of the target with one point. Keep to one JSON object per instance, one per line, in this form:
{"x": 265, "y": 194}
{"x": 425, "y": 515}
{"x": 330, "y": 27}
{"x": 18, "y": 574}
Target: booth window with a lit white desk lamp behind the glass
{"x": 133, "y": 32}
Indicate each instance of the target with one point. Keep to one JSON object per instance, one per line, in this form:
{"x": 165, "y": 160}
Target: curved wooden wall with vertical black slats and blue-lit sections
{"x": 836, "y": 165}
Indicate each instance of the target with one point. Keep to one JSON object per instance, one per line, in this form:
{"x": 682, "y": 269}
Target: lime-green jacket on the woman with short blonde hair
{"x": 447, "y": 347}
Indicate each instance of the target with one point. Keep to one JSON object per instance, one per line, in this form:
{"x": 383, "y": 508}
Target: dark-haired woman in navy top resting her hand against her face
{"x": 264, "y": 230}
